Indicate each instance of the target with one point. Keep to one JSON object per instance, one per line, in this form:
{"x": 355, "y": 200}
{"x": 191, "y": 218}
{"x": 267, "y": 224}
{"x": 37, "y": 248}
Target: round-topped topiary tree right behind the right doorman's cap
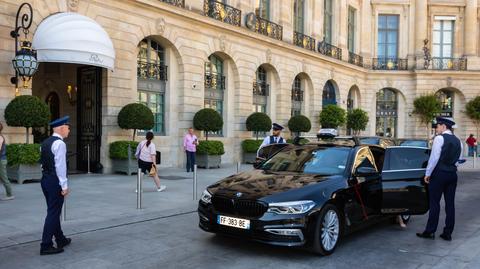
{"x": 426, "y": 107}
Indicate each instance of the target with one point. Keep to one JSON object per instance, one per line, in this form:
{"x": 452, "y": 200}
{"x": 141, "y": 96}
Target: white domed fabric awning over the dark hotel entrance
{"x": 73, "y": 38}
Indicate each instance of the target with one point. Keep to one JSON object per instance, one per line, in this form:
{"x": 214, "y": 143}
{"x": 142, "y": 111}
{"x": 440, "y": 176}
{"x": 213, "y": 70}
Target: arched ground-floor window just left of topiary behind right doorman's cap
{"x": 387, "y": 105}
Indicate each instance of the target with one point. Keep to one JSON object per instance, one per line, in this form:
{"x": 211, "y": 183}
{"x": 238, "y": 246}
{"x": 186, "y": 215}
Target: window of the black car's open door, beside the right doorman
{"x": 407, "y": 158}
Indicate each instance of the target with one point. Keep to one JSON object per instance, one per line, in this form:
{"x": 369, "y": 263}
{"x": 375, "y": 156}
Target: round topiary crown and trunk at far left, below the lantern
{"x": 27, "y": 111}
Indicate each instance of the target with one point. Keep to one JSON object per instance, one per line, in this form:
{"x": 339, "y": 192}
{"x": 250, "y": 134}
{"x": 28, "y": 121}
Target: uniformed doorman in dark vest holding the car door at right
{"x": 441, "y": 177}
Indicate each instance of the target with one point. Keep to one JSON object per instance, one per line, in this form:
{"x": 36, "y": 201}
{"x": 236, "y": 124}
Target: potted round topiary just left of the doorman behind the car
{"x": 256, "y": 122}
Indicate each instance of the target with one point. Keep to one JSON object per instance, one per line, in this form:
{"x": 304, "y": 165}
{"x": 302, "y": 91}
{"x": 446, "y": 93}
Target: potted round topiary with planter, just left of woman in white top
{"x": 122, "y": 153}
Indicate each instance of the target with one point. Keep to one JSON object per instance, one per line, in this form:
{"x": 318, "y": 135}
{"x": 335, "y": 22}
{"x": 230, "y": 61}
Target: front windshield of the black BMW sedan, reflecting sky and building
{"x": 321, "y": 161}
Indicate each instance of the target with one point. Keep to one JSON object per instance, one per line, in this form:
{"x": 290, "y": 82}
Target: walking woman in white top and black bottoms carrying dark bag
{"x": 146, "y": 153}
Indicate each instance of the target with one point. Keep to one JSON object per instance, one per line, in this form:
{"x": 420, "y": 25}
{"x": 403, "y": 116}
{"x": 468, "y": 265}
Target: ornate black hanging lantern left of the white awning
{"x": 25, "y": 62}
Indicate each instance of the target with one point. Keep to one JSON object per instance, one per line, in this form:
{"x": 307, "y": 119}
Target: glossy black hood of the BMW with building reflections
{"x": 258, "y": 183}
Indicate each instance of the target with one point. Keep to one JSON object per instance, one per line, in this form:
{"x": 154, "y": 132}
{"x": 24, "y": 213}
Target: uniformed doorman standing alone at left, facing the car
{"x": 54, "y": 185}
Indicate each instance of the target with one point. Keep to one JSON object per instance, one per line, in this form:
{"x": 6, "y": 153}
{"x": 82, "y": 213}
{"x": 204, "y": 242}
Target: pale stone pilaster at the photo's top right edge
{"x": 470, "y": 35}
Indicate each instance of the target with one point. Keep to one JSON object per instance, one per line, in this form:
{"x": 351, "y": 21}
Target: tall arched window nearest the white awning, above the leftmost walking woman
{"x": 151, "y": 78}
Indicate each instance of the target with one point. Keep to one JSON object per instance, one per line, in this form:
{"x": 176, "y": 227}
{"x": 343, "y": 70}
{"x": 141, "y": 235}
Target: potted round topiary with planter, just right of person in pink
{"x": 209, "y": 153}
